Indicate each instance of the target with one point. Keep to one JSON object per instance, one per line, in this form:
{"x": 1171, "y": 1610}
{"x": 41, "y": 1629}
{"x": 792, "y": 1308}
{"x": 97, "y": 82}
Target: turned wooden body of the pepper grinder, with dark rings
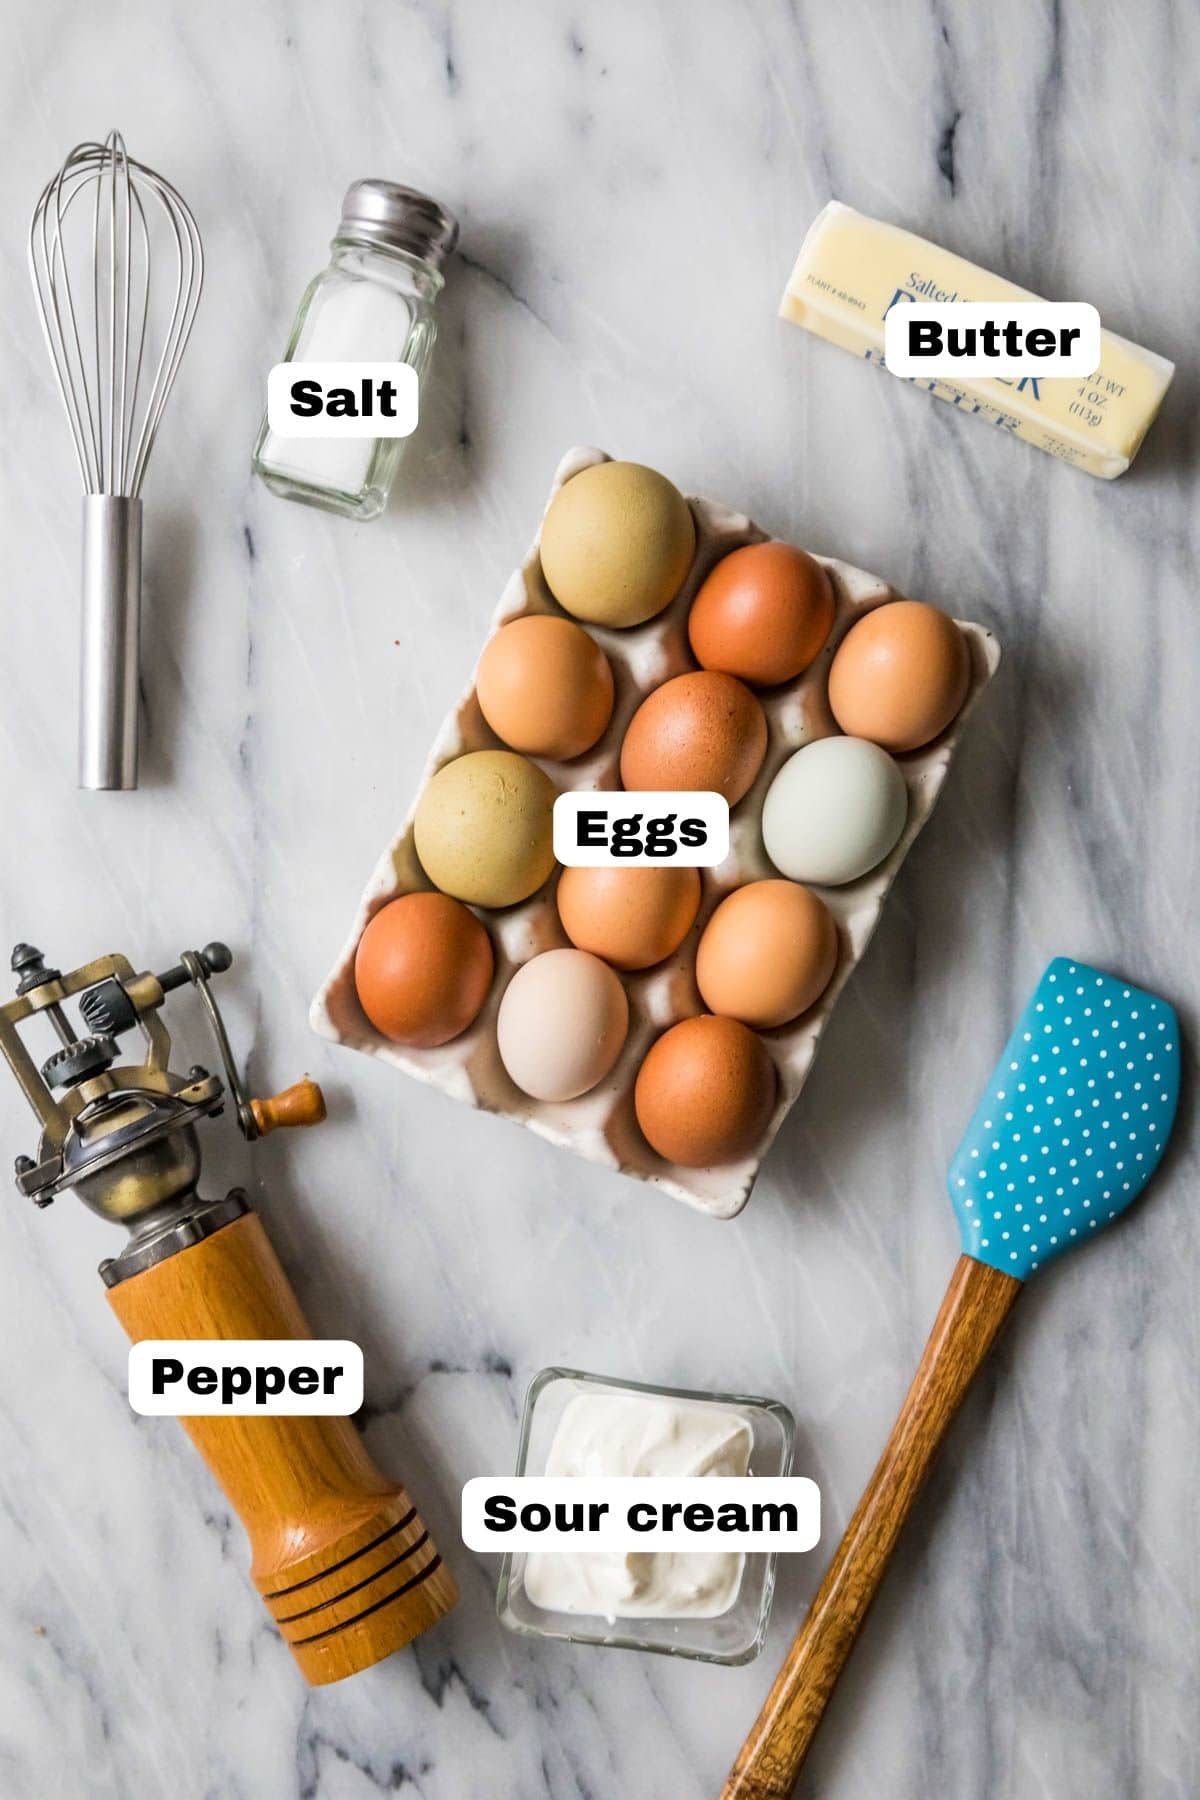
{"x": 339, "y": 1552}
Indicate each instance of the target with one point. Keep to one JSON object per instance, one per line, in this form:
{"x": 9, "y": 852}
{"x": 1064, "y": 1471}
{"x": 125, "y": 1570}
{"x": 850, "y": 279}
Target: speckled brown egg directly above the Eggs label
{"x": 697, "y": 732}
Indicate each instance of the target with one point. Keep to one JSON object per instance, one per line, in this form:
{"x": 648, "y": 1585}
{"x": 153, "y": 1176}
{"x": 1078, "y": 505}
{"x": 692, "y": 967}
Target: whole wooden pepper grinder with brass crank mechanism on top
{"x": 339, "y": 1552}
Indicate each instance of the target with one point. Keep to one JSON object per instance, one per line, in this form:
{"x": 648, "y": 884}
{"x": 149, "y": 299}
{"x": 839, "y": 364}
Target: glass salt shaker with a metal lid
{"x": 373, "y": 303}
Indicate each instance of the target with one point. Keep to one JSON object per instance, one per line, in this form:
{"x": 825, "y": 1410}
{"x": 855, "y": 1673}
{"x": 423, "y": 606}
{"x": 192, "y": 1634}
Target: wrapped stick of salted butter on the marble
{"x": 852, "y": 271}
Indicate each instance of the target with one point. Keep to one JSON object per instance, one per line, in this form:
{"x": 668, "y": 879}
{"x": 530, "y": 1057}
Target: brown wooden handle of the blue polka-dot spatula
{"x": 976, "y": 1306}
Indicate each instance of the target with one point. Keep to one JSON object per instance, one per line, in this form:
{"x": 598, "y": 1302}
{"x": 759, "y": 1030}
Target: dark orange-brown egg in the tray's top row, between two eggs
{"x": 762, "y": 615}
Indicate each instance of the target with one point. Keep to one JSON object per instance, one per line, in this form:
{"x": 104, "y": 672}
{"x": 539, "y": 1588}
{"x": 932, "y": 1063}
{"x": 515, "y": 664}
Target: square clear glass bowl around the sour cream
{"x": 739, "y": 1635}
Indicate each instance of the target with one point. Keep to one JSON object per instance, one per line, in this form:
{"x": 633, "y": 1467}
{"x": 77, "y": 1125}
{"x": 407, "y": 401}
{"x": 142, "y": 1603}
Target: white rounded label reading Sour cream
{"x": 616, "y": 1534}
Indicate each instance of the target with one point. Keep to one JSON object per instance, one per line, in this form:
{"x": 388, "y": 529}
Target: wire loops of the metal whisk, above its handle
{"x": 112, "y": 417}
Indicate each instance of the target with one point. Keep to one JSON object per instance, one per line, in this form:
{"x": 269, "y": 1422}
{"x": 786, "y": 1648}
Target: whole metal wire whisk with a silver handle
{"x": 116, "y": 352}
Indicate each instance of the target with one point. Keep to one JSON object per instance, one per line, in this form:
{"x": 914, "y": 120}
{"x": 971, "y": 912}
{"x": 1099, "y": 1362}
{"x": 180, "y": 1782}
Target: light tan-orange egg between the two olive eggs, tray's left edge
{"x": 546, "y": 687}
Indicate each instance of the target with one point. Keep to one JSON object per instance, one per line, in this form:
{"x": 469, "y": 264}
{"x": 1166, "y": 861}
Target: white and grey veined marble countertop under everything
{"x": 634, "y": 184}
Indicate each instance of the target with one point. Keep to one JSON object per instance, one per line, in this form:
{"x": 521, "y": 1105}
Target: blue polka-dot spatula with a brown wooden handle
{"x": 1071, "y": 1129}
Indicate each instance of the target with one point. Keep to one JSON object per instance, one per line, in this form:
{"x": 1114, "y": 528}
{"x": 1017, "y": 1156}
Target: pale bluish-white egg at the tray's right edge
{"x": 834, "y": 811}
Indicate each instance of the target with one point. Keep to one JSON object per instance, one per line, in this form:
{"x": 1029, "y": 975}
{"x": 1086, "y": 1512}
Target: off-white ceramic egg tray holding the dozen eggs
{"x": 602, "y": 1126}
